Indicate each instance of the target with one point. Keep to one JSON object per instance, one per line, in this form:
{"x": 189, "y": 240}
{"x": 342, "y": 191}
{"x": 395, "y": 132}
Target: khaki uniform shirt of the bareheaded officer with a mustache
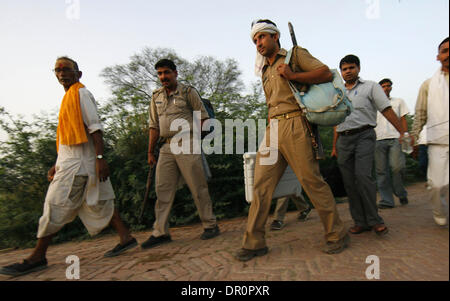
{"x": 164, "y": 109}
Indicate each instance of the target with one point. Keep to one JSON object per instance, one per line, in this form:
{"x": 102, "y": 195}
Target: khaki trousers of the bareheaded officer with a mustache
{"x": 168, "y": 171}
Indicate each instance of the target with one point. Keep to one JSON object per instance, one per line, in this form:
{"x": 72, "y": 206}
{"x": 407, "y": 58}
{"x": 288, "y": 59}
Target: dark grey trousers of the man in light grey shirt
{"x": 355, "y": 160}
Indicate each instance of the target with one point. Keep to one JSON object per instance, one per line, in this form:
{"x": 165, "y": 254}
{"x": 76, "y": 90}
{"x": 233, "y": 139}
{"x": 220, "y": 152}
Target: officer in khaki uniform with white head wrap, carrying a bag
{"x": 294, "y": 144}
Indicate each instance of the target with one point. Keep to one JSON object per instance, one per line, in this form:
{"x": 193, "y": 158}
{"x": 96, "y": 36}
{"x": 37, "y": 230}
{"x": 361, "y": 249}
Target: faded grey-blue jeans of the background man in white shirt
{"x": 389, "y": 157}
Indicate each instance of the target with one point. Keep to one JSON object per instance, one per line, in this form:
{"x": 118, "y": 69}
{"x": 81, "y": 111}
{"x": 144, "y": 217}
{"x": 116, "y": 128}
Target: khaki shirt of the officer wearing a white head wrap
{"x": 279, "y": 97}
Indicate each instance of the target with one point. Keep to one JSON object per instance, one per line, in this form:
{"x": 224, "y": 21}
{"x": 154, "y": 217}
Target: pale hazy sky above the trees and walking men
{"x": 397, "y": 39}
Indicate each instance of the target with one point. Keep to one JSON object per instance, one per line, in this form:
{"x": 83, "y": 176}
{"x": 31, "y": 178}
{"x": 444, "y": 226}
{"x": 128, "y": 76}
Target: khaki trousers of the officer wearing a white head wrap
{"x": 295, "y": 149}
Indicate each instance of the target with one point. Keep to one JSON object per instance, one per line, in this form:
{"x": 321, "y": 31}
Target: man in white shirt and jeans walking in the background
{"x": 388, "y": 154}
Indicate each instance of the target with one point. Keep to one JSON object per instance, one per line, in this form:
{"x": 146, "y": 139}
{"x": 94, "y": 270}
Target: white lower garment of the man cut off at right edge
{"x": 437, "y": 173}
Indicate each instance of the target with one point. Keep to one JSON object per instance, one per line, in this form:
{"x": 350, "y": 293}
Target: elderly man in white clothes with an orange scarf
{"x": 80, "y": 182}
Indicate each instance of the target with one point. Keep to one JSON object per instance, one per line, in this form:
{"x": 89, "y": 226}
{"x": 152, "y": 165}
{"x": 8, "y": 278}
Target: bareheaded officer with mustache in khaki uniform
{"x": 171, "y": 103}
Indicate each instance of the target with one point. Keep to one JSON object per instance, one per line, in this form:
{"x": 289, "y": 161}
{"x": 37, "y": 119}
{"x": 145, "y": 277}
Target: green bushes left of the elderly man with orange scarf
{"x": 25, "y": 160}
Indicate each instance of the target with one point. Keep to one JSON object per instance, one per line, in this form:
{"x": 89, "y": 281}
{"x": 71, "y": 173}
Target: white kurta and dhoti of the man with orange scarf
{"x": 95, "y": 202}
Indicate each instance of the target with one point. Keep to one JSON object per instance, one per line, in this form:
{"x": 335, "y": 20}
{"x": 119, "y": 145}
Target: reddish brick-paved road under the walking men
{"x": 415, "y": 249}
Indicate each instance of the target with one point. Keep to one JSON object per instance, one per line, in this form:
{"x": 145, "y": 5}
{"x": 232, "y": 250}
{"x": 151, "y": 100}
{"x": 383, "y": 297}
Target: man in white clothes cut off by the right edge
{"x": 432, "y": 111}
